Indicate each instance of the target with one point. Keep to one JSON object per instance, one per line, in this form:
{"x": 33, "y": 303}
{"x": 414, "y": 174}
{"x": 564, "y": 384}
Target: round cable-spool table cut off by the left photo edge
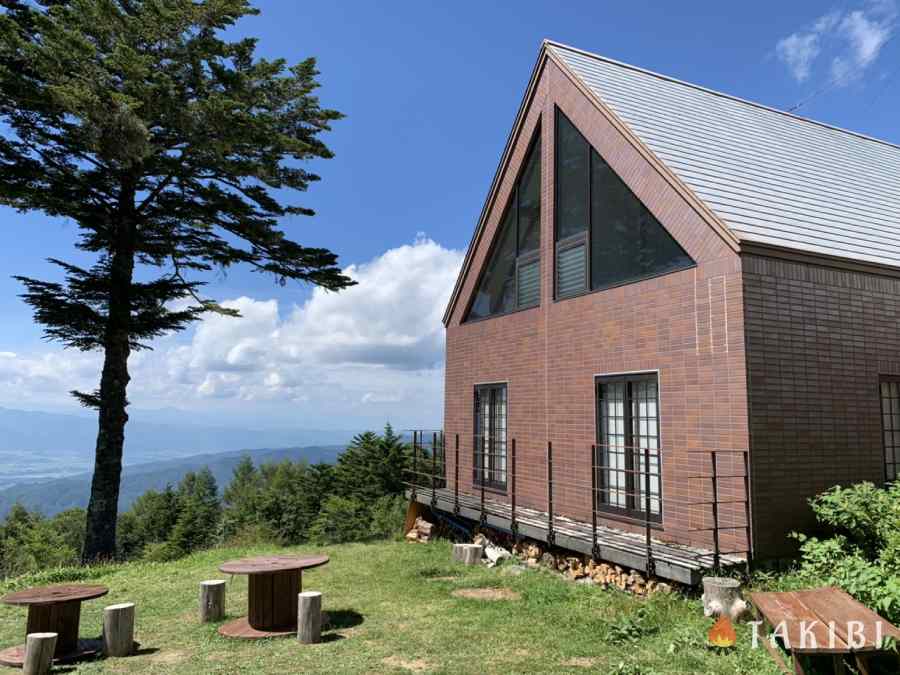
{"x": 54, "y": 609}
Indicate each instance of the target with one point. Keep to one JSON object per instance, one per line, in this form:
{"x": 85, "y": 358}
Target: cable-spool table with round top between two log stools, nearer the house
{"x": 273, "y": 585}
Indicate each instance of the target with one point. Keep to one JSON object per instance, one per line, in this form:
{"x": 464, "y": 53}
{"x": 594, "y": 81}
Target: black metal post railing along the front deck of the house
{"x": 626, "y": 484}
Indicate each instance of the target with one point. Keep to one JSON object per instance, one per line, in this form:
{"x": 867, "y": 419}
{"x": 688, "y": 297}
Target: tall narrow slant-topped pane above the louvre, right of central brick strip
{"x": 572, "y": 179}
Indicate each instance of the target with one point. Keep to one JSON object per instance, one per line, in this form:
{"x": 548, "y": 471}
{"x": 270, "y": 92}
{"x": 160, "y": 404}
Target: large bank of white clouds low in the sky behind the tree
{"x": 377, "y": 346}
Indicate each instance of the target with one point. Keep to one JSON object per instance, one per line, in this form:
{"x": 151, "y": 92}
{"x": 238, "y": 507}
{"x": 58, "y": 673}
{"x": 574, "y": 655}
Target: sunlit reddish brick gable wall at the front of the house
{"x": 687, "y": 325}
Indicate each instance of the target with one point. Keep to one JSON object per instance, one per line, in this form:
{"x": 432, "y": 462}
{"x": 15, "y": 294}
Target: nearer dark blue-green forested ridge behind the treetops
{"x": 51, "y": 497}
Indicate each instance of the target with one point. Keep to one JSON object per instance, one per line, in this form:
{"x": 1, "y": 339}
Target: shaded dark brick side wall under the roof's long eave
{"x": 817, "y": 340}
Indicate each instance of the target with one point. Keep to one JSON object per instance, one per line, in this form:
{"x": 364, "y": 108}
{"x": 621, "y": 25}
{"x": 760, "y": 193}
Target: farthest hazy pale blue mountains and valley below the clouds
{"x": 38, "y": 446}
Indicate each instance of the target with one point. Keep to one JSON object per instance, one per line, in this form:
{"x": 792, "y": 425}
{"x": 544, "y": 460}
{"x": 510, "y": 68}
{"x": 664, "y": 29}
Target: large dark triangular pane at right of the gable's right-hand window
{"x": 627, "y": 241}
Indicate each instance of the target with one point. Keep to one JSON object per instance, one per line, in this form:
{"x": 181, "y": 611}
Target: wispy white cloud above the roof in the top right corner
{"x": 852, "y": 41}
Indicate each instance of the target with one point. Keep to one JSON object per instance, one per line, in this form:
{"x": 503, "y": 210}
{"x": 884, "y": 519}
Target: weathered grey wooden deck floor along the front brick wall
{"x": 684, "y": 564}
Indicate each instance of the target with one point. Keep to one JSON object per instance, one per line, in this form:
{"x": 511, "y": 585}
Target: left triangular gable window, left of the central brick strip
{"x": 512, "y": 278}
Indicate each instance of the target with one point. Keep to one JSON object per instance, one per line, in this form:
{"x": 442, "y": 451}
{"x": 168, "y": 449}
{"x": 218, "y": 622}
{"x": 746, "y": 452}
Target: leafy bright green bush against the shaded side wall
{"x": 862, "y": 553}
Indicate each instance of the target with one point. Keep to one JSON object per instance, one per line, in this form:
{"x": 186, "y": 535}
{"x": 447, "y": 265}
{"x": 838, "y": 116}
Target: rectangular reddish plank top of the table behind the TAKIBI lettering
{"x": 817, "y": 607}
